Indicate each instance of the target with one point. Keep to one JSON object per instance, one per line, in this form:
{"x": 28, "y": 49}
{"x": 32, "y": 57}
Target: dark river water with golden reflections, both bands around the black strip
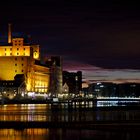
{"x": 45, "y": 113}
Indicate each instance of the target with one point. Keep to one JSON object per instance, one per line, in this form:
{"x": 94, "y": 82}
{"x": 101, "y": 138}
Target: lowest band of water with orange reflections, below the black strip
{"x": 66, "y": 134}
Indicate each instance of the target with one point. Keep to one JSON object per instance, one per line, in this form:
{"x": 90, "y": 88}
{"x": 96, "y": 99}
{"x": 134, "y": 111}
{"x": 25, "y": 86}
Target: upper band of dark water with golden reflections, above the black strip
{"x": 43, "y": 112}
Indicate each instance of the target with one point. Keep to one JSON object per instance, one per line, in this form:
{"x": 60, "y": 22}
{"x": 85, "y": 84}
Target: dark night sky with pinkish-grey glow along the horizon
{"x": 99, "y": 37}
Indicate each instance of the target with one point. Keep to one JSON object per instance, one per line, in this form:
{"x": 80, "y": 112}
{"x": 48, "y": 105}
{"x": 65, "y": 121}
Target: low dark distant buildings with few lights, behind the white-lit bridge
{"x": 113, "y": 90}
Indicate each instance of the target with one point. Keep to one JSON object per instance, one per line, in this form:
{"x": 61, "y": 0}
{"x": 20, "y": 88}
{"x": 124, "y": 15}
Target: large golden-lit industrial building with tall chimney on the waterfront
{"x": 20, "y": 58}
